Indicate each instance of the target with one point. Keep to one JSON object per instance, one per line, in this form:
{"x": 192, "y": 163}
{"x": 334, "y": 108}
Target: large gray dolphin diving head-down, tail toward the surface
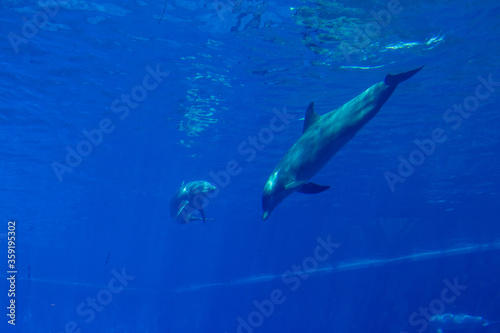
{"x": 322, "y": 138}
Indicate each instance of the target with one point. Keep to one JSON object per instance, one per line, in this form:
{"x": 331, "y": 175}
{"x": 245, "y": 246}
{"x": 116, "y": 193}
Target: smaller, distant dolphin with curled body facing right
{"x": 189, "y": 198}
